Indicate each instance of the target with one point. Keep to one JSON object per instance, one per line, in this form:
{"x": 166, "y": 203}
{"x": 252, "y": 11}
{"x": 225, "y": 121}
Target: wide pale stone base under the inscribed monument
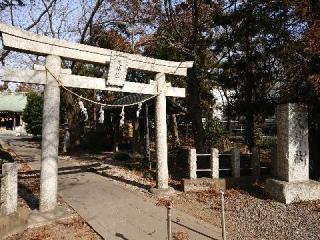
{"x": 289, "y": 192}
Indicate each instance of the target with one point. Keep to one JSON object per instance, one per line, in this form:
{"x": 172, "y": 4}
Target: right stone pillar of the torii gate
{"x": 161, "y": 134}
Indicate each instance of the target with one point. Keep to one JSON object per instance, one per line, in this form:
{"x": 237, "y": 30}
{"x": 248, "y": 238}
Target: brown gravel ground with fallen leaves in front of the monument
{"x": 254, "y": 217}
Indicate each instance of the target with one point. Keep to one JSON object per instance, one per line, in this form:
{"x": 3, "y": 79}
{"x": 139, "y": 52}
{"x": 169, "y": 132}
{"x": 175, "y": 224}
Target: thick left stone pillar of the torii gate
{"x": 50, "y": 137}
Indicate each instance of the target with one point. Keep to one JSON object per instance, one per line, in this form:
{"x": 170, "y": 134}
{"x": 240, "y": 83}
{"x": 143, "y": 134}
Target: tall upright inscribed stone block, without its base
{"x": 292, "y": 135}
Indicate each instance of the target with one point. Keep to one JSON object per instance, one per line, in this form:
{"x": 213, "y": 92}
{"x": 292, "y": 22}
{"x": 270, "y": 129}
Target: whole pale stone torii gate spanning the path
{"x": 55, "y": 50}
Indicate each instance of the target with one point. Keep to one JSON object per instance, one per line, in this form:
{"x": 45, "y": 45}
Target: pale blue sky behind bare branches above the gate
{"x": 68, "y": 16}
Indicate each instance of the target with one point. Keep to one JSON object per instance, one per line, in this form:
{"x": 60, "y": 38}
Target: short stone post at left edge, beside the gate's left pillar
{"x": 9, "y": 188}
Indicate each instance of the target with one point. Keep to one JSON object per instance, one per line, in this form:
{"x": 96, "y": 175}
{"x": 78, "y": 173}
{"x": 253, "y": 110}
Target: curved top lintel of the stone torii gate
{"x": 24, "y": 41}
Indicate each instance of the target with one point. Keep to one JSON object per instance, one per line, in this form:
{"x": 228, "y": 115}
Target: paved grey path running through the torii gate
{"x": 113, "y": 210}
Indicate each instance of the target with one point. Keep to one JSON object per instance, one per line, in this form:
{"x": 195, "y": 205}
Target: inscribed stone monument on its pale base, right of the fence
{"x": 291, "y": 166}
